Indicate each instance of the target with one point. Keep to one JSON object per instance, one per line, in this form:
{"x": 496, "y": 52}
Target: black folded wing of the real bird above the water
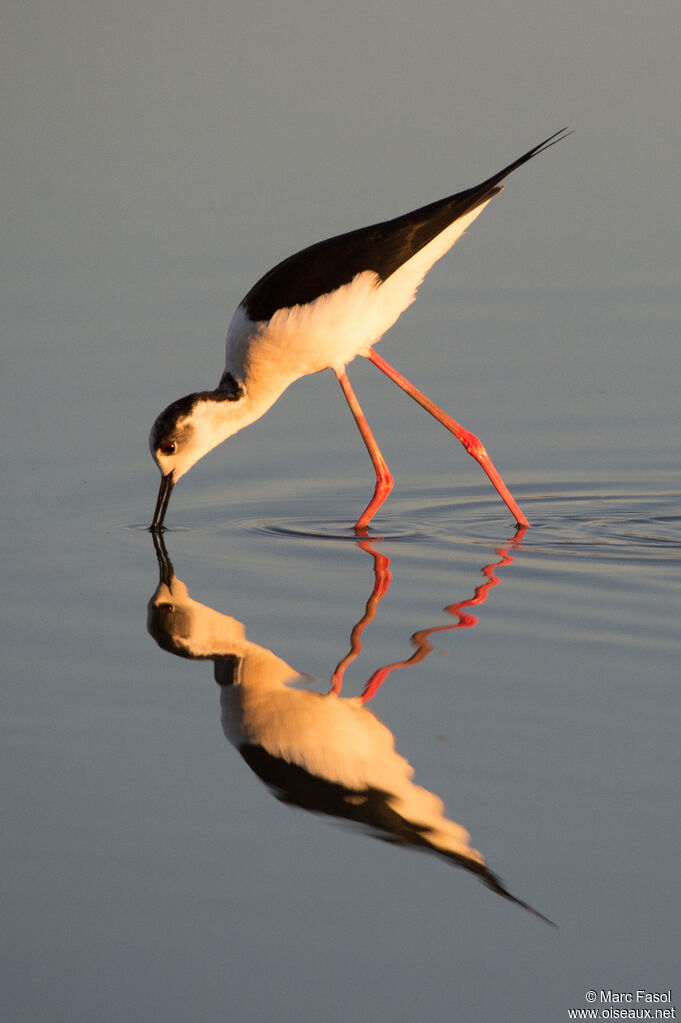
{"x": 381, "y": 249}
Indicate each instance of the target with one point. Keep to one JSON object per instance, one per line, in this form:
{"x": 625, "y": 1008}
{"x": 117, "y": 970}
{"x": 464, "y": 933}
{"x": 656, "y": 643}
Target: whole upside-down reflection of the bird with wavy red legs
{"x": 321, "y": 751}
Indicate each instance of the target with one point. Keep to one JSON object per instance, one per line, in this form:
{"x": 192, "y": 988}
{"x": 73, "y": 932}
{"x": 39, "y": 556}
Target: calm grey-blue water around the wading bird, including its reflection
{"x": 192, "y": 832}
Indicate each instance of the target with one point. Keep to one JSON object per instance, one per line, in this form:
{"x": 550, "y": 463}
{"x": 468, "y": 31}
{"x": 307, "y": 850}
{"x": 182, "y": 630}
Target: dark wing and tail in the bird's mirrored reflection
{"x": 369, "y": 808}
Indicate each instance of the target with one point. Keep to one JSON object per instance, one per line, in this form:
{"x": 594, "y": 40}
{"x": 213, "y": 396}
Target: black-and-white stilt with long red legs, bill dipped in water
{"x": 319, "y": 310}
